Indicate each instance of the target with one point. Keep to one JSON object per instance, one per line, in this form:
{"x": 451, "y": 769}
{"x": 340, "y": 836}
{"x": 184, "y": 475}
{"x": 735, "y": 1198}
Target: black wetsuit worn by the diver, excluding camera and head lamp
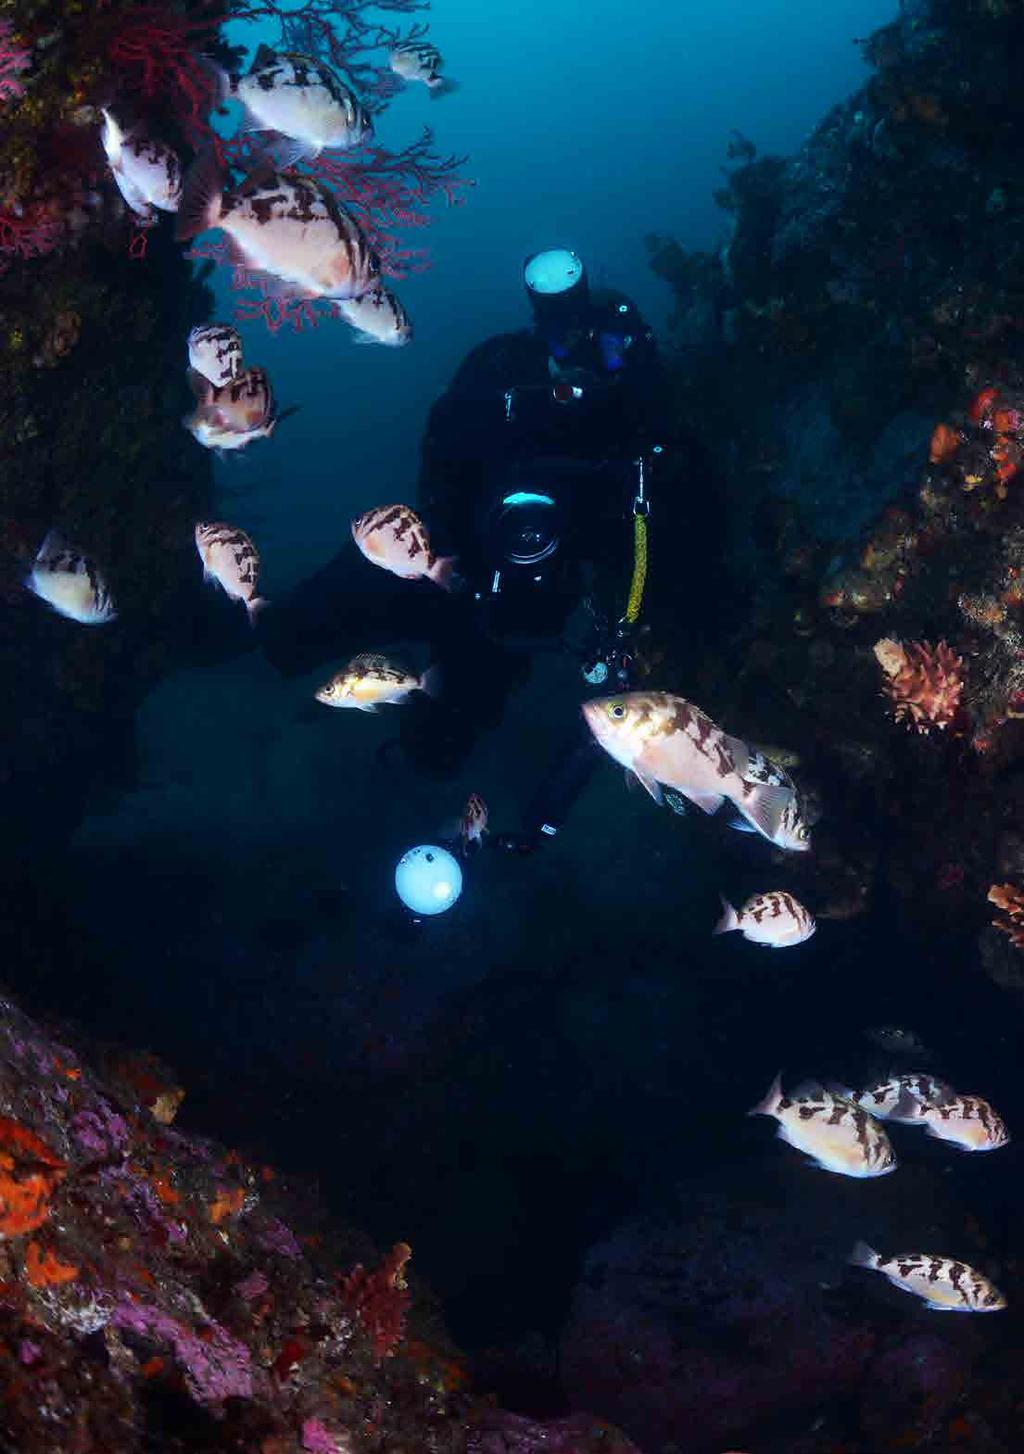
{"x": 497, "y": 427}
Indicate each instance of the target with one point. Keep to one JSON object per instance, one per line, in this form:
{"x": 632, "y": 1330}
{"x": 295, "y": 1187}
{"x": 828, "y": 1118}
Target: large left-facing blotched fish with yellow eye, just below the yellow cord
{"x": 667, "y": 741}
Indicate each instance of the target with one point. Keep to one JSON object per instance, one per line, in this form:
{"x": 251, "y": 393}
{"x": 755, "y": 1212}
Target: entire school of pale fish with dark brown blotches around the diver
{"x": 295, "y": 235}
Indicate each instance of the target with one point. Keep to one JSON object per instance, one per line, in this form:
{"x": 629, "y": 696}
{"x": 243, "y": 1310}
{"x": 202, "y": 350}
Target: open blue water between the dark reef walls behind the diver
{"x": 587, "y": 126}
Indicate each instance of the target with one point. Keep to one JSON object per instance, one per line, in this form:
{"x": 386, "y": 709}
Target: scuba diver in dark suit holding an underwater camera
{"x": 539, "y": 469}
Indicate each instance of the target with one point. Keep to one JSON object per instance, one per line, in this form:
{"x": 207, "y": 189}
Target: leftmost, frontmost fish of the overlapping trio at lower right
{"x": 839, "y": 1135}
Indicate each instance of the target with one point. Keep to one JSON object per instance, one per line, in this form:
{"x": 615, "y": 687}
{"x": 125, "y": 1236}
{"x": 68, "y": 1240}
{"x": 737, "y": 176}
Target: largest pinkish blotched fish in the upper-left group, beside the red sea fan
{"x": 287, "y": 226}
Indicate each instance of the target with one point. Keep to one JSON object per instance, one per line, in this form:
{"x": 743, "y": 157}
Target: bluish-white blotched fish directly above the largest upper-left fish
{"x": 302, "y": 100}
